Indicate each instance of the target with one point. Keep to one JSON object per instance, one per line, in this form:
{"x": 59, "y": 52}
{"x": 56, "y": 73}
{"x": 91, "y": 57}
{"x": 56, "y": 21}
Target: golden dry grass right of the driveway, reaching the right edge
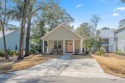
{"x": 113, "y": 64}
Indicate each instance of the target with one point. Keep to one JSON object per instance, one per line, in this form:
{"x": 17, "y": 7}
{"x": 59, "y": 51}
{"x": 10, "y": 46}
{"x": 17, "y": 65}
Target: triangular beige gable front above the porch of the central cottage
{"x": 61, "y": 33}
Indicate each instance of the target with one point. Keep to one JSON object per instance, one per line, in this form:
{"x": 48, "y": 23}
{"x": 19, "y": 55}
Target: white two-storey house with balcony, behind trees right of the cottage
{"x": 107, "y": 37}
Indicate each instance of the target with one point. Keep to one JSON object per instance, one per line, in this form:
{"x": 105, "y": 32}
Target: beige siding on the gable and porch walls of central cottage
{"x": 62, "y": 33}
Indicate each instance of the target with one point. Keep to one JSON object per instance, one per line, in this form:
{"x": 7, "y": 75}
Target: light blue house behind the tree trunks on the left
{"x": 12, "y": 39}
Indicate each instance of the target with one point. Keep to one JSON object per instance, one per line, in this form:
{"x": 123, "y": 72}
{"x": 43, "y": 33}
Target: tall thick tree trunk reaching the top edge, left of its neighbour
{"x": 21, "y": 56}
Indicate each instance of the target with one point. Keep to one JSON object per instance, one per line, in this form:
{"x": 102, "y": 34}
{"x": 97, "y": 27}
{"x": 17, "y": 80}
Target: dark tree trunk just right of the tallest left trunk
{"x": 28, "y": 37}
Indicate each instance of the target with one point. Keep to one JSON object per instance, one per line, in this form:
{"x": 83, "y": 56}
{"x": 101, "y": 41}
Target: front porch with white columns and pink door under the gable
{"x": 62, "y": 46}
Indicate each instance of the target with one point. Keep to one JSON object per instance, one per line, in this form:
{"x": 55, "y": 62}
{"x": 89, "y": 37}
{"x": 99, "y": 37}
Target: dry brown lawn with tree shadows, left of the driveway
{"x": 28, "y": 62}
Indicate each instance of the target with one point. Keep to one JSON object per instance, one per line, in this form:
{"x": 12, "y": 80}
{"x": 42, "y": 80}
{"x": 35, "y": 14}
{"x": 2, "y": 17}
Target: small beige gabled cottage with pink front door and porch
{"x": 62, "y": 40}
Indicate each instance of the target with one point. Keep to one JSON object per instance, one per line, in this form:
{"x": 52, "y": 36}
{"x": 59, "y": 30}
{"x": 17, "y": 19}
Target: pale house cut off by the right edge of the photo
{"x": 120, "y": 39}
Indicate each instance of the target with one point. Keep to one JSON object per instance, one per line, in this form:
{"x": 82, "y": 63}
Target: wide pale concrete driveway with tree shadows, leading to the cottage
{"x": 62, "y": 70}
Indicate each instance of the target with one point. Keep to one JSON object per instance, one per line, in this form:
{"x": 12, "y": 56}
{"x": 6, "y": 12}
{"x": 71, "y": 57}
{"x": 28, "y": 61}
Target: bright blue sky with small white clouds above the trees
{"x": 110, "y": 11}
